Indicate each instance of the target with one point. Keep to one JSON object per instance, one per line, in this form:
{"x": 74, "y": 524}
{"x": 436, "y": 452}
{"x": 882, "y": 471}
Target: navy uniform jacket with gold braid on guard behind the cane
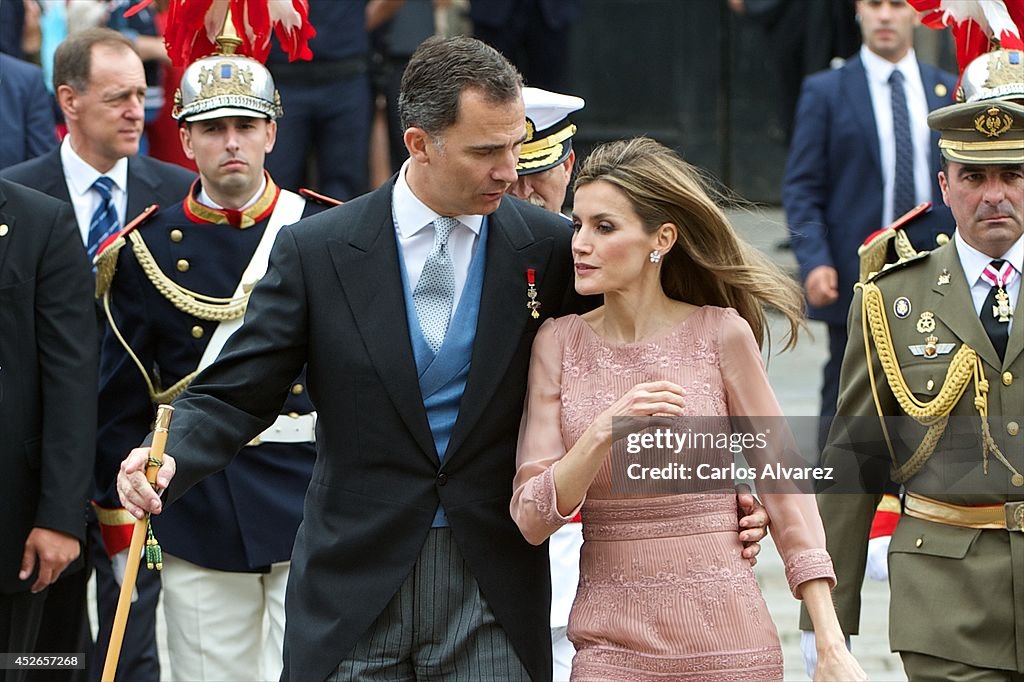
{"x": 173, "y": 280}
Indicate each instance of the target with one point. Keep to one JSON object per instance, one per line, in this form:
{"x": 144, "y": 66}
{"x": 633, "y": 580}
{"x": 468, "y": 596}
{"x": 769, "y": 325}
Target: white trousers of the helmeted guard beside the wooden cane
{"x": 224, "y": 626}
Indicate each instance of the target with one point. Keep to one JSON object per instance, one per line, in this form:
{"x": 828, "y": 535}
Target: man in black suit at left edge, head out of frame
{"x": 48, "y": 406}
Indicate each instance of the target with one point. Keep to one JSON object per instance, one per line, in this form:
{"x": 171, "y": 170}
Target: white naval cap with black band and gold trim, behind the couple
{"x": 549, "y": 132}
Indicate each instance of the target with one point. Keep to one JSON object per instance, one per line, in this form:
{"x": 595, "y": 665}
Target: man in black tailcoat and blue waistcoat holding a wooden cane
{"x": 407, "y": 560}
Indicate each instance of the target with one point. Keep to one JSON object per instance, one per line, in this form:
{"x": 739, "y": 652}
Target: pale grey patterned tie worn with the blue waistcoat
{"x": 435, "y": 292}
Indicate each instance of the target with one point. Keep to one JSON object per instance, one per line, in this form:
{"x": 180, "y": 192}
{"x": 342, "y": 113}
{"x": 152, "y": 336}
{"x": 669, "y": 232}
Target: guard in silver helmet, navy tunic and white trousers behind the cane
{"x": 176, "y": 285}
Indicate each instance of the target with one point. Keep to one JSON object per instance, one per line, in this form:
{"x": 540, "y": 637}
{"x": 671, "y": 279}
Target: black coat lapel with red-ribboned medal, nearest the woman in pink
{"x": 511, "y": 251}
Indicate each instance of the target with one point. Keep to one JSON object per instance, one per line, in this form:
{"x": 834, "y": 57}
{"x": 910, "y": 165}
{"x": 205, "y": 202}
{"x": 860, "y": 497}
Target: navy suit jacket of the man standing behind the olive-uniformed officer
{"x": 833, "y": 188}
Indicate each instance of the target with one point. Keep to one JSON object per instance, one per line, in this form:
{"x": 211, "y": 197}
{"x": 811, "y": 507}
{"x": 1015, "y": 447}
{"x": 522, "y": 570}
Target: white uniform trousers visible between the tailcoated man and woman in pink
{"x": 564, "y": 548}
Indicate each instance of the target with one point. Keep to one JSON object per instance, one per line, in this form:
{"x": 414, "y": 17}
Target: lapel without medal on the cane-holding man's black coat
{"x": 368, "y": 268}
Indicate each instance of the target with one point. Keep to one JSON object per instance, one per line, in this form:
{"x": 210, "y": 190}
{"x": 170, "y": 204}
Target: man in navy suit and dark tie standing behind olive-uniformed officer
{"x": 840, "y": 183}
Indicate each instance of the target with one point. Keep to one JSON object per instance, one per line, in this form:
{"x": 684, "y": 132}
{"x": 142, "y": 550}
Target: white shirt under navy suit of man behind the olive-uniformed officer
{"x": 879, "y": 71}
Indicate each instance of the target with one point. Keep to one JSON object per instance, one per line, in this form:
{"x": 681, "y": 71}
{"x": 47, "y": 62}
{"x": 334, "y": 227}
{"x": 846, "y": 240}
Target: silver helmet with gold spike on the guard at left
{"x": 227, "y": 84}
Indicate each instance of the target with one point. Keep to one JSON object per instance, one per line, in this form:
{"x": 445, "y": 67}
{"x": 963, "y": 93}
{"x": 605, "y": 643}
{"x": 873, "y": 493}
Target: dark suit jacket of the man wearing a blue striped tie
{"x": 150, "y": 181}
